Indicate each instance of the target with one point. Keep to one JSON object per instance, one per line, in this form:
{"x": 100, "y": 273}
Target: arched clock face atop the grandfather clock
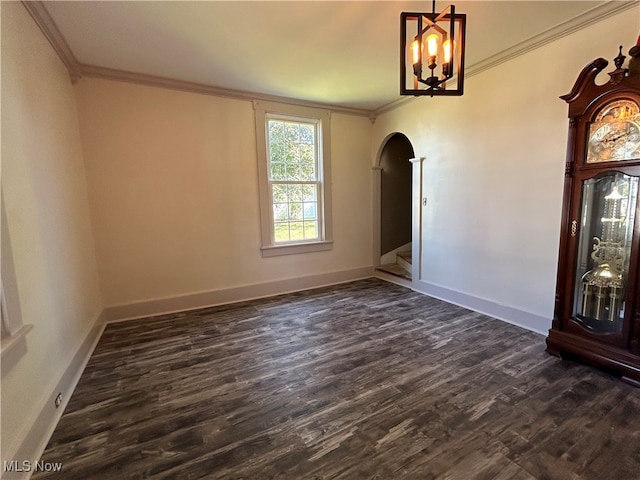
{"x": 615, "y": 135}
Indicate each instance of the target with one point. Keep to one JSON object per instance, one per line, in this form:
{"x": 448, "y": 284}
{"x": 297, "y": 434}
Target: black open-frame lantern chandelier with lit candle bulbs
{"x": 435, "y": 52}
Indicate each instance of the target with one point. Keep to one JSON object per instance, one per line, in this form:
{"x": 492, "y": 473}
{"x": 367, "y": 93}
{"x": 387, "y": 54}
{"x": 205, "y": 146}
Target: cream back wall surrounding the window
{"x": 173, "y": 190}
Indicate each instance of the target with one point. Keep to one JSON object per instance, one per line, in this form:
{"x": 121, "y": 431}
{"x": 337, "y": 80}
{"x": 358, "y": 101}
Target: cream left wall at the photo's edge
{"x": 45, "y": 194}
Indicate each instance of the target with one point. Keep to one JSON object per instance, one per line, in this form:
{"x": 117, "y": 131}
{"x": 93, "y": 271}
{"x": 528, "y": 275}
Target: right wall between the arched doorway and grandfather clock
{"x": 494, "y": 174}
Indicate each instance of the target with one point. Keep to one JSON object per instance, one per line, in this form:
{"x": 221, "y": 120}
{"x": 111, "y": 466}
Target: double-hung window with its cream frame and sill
{"x": 295, "y": 197}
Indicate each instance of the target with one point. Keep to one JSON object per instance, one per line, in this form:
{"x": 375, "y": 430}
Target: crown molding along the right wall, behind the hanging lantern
{"x": 563, "y": 29}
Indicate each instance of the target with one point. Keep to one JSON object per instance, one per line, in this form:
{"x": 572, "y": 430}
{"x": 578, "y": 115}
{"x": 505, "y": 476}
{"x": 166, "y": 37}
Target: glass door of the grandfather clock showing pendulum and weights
{"x": 604, "y": 248}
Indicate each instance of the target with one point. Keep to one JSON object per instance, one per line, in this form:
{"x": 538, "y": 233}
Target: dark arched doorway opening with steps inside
{"x": 394, "y": 255}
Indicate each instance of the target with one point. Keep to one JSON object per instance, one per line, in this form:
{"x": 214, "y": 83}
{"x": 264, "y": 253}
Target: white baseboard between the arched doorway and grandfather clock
{"x": 530, "y": 321}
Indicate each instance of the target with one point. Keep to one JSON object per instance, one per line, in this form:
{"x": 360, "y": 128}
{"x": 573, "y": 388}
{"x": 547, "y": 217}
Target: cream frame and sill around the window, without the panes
{"x": 264, "y": 111}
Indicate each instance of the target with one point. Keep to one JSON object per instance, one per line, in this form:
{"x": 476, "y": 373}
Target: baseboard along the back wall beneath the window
{"x": 210, "y": 298}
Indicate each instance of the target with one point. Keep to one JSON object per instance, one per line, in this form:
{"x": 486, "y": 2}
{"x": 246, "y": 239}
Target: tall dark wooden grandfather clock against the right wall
{"x": 597, "y": 307}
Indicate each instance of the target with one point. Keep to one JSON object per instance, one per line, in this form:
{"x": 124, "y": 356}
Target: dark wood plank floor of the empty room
{"x": 365, "y": 380}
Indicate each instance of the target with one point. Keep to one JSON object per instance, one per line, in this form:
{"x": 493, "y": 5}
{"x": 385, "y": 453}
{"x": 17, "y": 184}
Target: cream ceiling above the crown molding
{"x": 342, "y": 53}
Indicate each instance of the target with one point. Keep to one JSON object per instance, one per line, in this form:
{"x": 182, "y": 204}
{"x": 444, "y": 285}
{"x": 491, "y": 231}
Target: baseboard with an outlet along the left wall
{"x": 44, "y": 423}
